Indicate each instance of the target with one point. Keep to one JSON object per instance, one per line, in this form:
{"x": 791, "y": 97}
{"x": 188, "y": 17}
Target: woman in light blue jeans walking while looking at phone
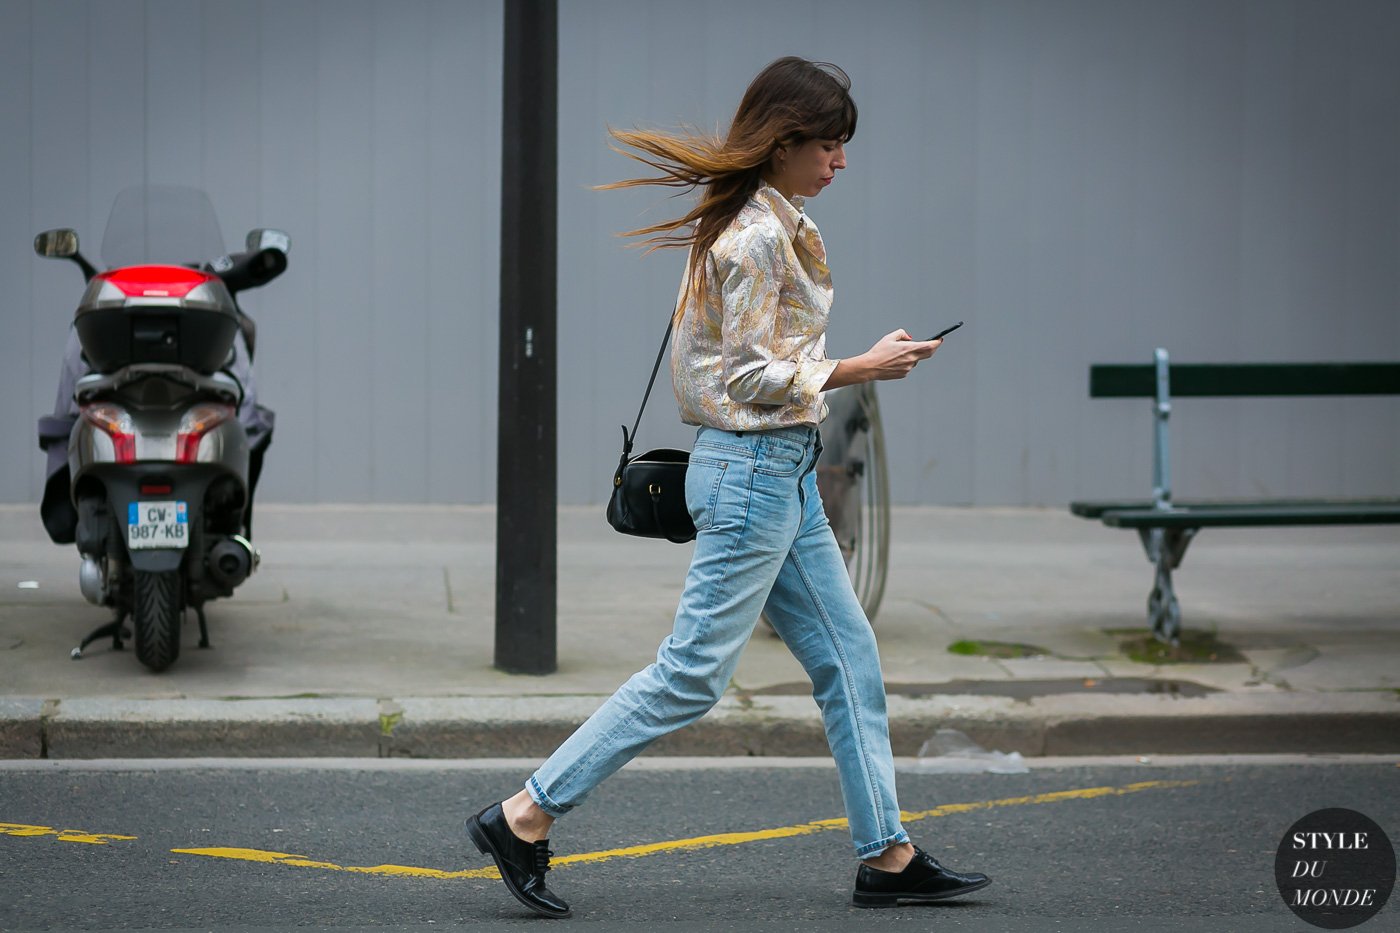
{"x": 750, "y": 368}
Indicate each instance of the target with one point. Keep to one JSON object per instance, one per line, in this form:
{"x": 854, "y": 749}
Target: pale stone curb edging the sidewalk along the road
{"x": 768, "y": 726}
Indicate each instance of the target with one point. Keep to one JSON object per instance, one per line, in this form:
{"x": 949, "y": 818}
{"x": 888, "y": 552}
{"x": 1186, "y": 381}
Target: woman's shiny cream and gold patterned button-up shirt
{"x": 754, "y": 358}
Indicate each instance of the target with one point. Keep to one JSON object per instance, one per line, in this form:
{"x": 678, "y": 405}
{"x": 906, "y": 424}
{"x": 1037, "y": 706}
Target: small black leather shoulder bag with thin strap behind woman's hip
{"x": 649, "y": 495}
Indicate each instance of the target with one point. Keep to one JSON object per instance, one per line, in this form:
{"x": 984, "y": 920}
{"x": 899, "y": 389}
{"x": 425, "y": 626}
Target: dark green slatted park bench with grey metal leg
{"x": 1167, "y": 527}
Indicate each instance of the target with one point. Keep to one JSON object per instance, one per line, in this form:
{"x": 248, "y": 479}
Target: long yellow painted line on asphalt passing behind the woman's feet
{"x": 696, "y": 843}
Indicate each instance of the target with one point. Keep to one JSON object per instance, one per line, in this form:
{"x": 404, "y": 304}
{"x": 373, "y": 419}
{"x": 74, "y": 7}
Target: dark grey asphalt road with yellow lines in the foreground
{"x": 244, "y": 847}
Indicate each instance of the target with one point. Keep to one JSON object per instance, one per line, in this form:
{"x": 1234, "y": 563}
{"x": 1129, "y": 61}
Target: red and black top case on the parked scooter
{"x": 157, "y": 315}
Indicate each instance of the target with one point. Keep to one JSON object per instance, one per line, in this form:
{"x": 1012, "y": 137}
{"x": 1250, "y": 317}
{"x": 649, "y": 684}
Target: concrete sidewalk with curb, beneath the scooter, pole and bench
{"x": 369, "y": 631}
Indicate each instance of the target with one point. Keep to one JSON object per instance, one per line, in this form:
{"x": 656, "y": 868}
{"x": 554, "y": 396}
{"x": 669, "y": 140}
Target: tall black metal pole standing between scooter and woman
{"x": 527, "y": 490}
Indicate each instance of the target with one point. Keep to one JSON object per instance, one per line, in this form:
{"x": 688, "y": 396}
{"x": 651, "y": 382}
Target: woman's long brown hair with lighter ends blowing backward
{"x": 790, "y": 103}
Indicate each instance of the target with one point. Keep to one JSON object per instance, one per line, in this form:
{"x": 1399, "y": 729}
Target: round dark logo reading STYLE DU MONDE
{"x": 1335, "y": 869}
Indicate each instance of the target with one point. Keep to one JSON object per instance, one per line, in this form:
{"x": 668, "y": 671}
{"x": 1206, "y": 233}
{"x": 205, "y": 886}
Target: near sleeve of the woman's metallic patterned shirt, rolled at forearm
{"x": 765, "y": 364}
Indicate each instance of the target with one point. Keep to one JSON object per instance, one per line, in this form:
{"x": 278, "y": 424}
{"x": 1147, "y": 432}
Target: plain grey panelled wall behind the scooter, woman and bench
{"x": 1080, "y": 181}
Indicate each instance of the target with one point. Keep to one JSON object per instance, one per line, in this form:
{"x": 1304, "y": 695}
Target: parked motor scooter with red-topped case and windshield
{"x": 157, "y": 443}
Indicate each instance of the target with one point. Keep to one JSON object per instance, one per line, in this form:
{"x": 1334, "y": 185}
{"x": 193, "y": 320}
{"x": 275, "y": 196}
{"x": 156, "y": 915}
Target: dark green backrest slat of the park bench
{"x": 1133, "y": 380}
